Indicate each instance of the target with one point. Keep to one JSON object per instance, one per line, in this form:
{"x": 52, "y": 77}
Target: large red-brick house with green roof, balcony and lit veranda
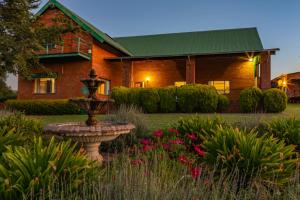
{"x": 231, "y": 60}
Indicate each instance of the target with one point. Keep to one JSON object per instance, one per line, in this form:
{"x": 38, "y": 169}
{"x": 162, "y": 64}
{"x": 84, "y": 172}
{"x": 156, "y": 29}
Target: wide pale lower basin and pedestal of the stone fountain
{"x": 90, "y": 137}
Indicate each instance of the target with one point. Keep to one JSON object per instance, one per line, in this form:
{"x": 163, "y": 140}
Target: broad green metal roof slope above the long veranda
{"x": 193, "y": 43}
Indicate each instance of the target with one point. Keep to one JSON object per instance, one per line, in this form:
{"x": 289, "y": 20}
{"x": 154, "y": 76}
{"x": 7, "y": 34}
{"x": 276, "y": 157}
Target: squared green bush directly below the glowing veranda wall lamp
{"x": 149, "y": 100}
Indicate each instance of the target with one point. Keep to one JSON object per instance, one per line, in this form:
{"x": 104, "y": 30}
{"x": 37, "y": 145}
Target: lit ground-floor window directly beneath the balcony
{"x": 44, "y": 86}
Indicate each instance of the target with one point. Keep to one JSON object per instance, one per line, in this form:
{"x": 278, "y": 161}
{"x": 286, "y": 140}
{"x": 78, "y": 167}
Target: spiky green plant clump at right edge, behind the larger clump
{"x": 284, "y": 129}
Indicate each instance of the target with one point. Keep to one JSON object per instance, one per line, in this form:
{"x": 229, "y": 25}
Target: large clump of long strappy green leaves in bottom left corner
{"x": 25, "y": 171}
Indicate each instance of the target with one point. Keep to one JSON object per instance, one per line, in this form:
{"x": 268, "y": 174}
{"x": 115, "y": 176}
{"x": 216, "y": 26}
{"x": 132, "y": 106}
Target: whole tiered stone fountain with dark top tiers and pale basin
{"x": 91, "y": 133}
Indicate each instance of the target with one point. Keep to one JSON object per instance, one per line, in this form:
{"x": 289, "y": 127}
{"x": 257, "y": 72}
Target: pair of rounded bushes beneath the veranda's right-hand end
{"x": 271, "y": 100}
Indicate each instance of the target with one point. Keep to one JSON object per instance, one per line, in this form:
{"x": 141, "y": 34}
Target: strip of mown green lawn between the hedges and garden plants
{"x": 156, "y": 121}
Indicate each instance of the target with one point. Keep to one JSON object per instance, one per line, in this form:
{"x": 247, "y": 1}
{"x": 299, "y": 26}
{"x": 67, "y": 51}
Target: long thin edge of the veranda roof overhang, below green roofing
{"x": 160, "y": 57}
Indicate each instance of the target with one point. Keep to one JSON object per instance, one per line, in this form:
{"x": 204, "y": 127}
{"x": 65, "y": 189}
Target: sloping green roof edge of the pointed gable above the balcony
{"x": 96, "y": 33}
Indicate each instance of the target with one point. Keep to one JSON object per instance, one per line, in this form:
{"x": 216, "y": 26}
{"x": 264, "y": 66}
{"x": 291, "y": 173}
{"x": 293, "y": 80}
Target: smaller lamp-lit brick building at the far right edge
{"x": 290, "y": 83}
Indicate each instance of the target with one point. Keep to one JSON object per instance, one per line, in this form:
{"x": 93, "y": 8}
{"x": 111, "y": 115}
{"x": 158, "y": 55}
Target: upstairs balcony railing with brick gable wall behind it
{"x": 67, "y": 46}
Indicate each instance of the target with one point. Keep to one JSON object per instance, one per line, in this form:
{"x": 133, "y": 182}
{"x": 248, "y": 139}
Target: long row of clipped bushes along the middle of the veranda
{"x": 188, "y": 98}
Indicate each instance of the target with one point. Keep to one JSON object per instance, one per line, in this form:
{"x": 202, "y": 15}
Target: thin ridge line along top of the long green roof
{"x": 187, "y": 32}
